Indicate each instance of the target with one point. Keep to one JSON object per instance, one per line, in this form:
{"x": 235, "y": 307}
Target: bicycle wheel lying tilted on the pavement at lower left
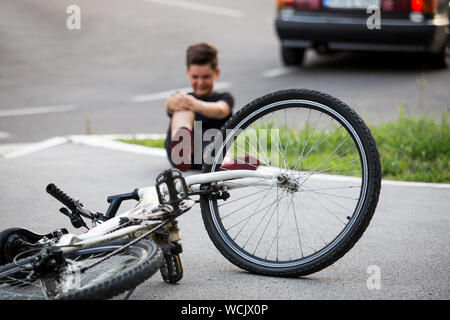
{"x": 86, "y": 275}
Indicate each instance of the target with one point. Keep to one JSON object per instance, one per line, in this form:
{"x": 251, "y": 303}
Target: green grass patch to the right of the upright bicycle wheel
{"x": 414, "y": 148}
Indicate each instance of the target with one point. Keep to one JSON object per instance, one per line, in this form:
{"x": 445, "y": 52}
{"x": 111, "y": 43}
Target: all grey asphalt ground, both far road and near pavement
{"x": 111, "y": 76}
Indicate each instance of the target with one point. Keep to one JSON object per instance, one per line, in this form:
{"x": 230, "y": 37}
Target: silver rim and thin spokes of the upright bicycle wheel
{"x": 294, "y": 245}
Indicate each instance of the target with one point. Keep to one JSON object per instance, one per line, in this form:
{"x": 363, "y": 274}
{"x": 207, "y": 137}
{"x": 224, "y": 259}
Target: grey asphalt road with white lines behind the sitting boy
{"x": 112, "y": 74}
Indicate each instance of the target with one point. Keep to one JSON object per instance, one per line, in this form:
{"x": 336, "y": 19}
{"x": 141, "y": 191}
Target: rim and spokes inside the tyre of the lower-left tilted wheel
{"x": 17, "y": 287}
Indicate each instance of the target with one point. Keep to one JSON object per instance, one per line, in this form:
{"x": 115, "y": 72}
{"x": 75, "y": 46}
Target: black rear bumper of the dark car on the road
{"x": 352, "y": 33}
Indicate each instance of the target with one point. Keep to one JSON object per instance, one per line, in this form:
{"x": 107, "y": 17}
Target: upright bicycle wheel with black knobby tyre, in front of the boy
{"x": 325, "y": 188}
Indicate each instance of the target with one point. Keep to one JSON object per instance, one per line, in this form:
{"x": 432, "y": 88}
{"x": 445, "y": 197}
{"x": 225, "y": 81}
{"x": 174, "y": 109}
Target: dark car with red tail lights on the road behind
{"x": 364, "y": 25}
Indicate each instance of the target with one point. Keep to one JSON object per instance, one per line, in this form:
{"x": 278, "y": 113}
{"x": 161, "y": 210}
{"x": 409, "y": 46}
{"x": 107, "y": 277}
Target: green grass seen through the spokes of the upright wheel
{"x": 305, "y": 148}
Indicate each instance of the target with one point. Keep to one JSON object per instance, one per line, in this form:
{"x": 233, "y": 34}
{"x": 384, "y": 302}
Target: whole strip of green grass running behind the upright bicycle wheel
{"x": 412, "y": 148}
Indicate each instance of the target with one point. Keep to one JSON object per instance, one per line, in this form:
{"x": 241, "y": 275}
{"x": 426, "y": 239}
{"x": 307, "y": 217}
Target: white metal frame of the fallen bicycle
{"x": 148, "y": 199}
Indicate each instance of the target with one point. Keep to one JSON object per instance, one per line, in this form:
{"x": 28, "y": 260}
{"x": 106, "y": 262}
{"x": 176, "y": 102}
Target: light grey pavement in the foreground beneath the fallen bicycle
{"x": 407, "y": 240}
